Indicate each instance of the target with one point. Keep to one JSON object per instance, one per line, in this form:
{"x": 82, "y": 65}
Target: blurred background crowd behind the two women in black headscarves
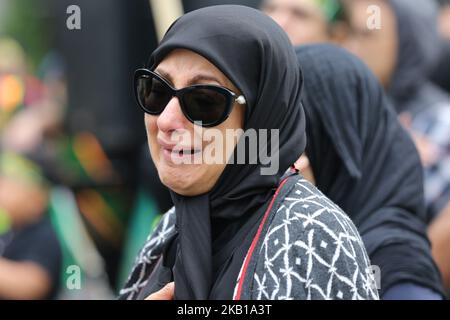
{"x": 78, "y": 191}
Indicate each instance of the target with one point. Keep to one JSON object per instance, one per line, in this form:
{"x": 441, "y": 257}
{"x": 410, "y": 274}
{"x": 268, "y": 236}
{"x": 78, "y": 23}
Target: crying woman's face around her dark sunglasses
{"x": 190, "y": 172}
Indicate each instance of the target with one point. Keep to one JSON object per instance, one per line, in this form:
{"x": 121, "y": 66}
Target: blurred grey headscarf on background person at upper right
{"x": 418, "y": 52}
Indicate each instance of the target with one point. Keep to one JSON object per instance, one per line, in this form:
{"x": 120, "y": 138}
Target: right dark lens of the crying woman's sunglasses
{"x": 206, "y": 105}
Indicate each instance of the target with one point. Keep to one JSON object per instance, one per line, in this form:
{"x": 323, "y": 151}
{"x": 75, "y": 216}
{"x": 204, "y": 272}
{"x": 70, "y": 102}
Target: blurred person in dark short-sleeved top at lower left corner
{"x": 30, "y": 255}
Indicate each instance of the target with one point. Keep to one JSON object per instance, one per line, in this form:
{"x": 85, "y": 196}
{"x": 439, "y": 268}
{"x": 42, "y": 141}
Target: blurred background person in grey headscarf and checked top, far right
{"x": 409, "y": 41}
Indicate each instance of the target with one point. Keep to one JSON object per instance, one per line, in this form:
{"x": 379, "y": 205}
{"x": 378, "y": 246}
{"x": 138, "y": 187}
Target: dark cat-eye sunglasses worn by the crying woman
{"x": 209, "y": 104}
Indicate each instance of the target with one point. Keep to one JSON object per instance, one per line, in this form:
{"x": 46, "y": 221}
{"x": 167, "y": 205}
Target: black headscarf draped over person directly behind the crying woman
{"x": 366, "y": 163}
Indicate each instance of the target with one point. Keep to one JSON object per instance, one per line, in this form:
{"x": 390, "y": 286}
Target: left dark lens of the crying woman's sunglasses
{"x": 152, "y": 93}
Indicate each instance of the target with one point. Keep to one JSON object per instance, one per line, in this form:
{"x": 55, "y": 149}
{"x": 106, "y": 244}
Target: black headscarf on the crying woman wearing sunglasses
{"x": 256, "y": 55}
